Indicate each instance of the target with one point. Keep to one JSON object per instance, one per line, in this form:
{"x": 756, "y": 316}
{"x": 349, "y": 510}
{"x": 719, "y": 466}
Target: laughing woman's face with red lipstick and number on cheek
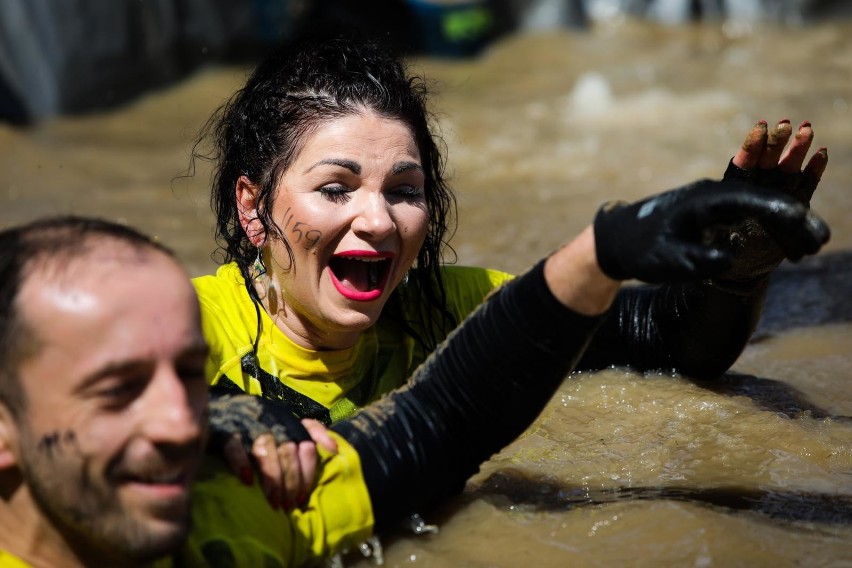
{"x": 352, "y": 208}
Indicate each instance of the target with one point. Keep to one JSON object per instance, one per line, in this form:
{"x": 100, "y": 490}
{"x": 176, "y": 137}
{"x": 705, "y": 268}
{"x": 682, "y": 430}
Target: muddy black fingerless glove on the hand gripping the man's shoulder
{"x": 250, "y": 416}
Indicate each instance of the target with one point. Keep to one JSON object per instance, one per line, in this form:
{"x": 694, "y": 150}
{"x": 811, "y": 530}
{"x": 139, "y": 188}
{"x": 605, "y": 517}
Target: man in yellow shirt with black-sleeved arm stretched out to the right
{"x": 103, "y": 400}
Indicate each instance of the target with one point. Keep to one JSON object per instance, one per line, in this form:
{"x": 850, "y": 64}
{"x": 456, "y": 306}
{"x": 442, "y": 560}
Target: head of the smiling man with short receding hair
{"x": 103, "y": 396}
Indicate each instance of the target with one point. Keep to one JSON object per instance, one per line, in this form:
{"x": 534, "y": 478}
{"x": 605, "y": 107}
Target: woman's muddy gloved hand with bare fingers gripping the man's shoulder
{"x": 253, "y": 433}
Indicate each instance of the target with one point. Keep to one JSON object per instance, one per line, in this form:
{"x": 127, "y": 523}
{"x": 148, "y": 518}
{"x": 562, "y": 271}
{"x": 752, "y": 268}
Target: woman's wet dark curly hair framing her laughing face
{"x": 258, "y": 132}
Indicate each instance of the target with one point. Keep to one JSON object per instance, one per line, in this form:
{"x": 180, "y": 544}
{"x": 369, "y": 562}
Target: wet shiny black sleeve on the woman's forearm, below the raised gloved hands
{"x": 698, "y": 330}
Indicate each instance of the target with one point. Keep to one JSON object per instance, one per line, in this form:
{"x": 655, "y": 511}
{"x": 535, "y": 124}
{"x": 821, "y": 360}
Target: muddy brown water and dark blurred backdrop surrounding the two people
{"x": 547, "y": 109}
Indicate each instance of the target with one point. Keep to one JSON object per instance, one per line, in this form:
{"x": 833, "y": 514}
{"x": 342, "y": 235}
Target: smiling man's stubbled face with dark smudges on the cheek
{"x": 113, "y": 428}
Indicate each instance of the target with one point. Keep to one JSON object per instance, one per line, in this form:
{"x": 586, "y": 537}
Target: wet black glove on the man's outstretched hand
{"x": 704, "y": 230}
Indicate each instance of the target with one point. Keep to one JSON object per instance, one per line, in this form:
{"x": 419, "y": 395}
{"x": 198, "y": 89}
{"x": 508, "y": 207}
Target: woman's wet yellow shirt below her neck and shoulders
{"x": 327, "y": 385}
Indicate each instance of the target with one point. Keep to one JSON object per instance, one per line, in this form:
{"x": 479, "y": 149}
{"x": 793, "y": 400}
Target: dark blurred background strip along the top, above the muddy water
{"x": 70, "y": 56}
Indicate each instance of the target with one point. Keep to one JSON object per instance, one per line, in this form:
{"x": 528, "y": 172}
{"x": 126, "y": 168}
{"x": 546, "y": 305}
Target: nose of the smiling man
{"x": 174, "y": 409}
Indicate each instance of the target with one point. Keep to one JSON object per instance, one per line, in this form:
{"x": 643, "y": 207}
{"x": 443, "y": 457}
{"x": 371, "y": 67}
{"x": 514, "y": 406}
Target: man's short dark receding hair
{"x": 32, "y": 248}
